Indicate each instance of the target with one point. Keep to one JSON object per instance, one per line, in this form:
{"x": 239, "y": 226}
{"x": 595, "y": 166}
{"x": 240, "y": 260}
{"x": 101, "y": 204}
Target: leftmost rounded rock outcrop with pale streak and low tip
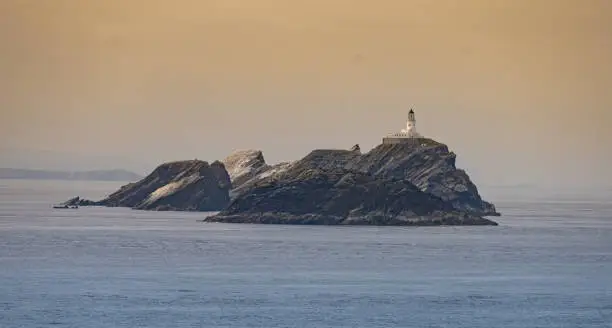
{"x": 182, "y": 186}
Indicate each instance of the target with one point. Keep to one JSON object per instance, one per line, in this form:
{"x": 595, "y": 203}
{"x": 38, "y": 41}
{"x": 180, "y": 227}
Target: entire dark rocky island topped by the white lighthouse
{"x": 406, "y": 180}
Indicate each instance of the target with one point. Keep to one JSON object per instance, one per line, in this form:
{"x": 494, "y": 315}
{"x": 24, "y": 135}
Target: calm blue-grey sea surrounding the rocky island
{"x": 548, "y": 264}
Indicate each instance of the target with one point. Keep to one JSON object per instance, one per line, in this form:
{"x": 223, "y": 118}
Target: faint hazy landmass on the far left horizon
{"x": 97, "y": 175}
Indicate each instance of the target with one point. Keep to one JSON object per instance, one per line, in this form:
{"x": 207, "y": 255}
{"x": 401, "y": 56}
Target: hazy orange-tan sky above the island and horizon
{"x": 521, "y": 90}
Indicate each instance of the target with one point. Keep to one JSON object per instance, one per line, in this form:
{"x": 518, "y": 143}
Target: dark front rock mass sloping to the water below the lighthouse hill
{"x": 340, "y": 187}
